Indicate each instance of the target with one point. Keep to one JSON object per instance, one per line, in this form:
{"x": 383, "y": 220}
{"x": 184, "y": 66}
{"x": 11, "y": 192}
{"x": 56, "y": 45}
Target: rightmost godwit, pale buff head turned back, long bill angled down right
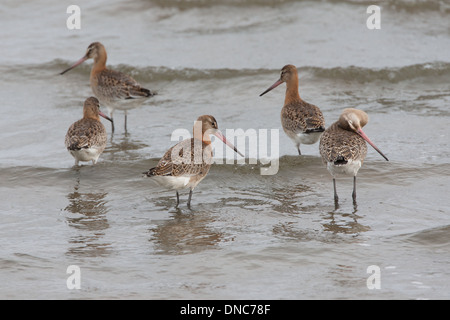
{"x": 343, "y": 146}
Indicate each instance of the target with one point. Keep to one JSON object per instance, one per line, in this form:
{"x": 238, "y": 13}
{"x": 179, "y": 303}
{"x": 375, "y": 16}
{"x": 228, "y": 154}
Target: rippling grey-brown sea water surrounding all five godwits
{"x": 247, "y": 235}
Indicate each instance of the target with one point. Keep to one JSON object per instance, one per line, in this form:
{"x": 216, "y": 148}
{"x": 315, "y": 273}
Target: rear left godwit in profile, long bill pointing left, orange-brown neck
{"x": 114, "y": 89}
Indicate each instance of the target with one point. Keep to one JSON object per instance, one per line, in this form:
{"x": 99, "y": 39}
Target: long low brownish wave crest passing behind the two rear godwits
{"x": 429, "y": 70}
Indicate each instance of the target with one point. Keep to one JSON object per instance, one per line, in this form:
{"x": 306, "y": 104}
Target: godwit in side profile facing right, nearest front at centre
{"x": 187, "y": 163}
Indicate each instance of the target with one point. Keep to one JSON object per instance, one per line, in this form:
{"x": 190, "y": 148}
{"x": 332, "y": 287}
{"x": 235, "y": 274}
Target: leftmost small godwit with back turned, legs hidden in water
{"x": 86, "y": 138}
